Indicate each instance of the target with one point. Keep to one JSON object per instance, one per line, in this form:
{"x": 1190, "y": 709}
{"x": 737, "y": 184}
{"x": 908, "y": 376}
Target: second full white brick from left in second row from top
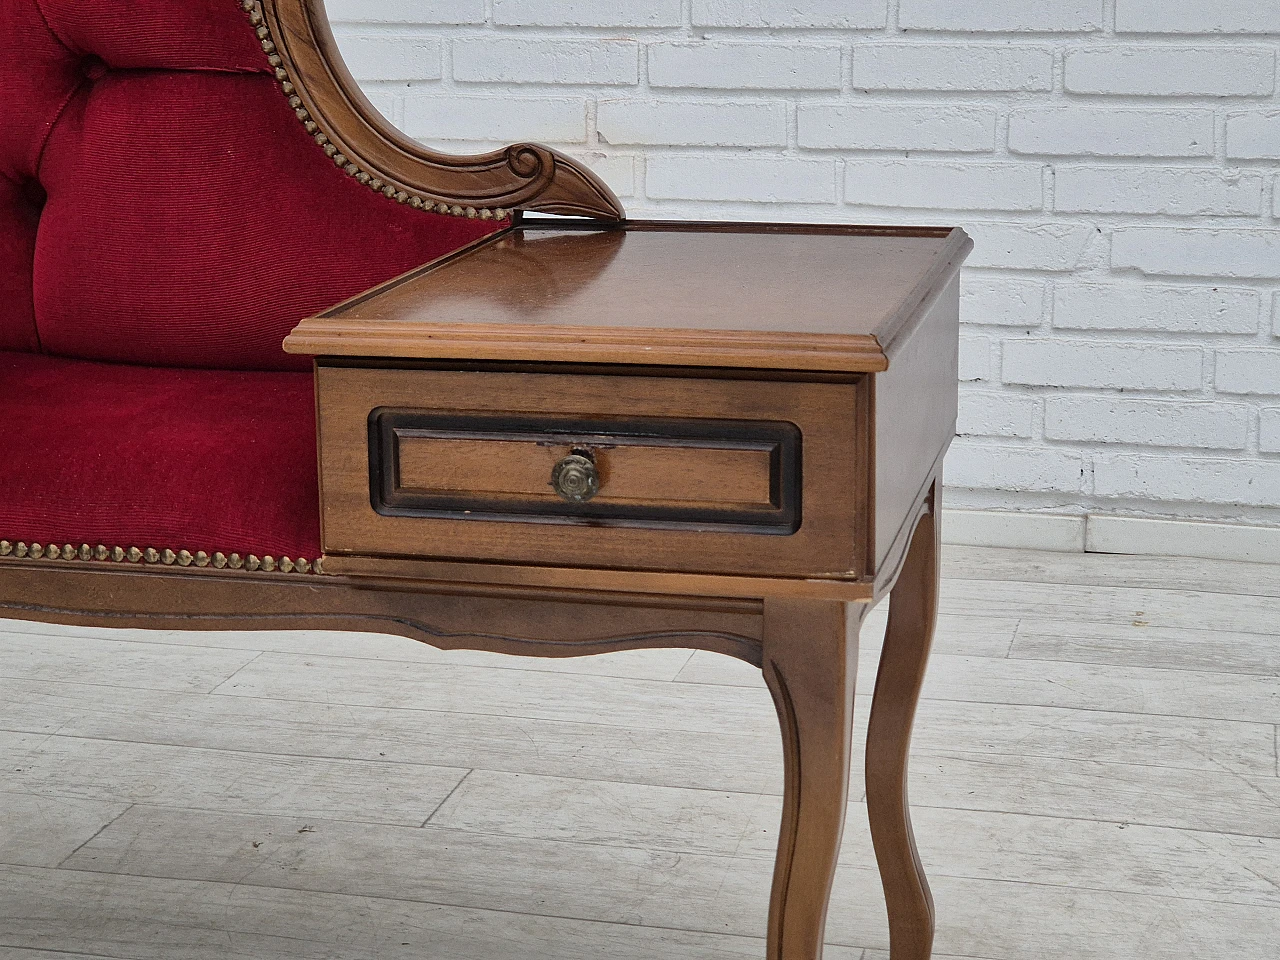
{"x": 744, "y": 66}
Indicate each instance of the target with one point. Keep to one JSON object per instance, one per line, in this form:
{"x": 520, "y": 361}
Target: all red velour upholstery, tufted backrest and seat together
{"x": 161, "y": 208}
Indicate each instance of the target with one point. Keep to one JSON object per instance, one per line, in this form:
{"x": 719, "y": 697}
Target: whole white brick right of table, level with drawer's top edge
{"x": 1151, "y": 367}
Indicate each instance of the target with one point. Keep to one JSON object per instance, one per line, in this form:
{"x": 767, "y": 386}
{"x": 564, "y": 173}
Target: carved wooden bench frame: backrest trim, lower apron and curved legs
{"x": 804, "y": 642}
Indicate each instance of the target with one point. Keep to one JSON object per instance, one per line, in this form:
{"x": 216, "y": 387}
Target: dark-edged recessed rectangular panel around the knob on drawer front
{"x": 644, "y": 473}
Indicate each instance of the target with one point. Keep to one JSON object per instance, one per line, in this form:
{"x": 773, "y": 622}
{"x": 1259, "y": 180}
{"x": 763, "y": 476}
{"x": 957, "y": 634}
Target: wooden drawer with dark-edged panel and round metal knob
{"x": 624, "y": 472}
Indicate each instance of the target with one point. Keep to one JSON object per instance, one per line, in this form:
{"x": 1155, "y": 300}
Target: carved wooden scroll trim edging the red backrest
{"x": 301, "y": 49}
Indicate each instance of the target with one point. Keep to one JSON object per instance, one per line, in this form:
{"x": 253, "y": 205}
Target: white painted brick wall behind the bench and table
{"x": 1117, "y": 162}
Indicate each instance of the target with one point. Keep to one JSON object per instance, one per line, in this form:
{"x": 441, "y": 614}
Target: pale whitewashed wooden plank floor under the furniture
{"x": 1095, "y": 776}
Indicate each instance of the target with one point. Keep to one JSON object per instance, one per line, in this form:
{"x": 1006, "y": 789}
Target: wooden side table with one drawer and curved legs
{"x": 729, "y": 437}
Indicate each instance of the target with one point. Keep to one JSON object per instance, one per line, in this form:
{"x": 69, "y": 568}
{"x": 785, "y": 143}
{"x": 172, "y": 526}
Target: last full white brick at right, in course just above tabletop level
{"x": 1158, "y": 190}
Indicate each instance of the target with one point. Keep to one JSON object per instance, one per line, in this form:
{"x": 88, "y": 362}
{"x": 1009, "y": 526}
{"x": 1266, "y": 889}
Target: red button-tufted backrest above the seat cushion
{"x": 161, "y": 203}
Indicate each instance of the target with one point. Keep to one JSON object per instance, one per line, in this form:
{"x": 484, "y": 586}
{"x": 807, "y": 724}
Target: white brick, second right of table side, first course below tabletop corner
{"x": 1145, "y": 308}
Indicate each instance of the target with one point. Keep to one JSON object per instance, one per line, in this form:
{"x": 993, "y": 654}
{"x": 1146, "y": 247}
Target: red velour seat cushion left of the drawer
{"x": 131, "y": 456}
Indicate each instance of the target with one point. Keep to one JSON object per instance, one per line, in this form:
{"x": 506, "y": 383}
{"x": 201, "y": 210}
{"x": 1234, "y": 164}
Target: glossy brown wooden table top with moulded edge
{"x": 771, "y": 296}
